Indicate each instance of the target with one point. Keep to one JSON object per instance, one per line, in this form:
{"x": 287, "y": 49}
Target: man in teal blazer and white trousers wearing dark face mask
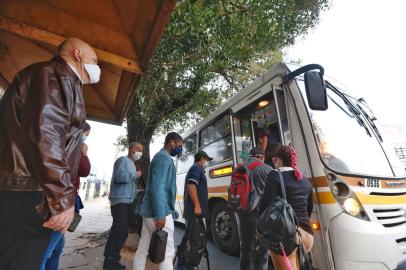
{"x": 158, "y": 205}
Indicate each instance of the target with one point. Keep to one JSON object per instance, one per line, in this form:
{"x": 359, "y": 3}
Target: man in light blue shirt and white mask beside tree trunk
{"x": 122, "y": 189}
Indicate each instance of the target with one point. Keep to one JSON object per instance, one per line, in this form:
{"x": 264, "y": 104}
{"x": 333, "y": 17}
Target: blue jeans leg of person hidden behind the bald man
{"x": 51, "y": 257}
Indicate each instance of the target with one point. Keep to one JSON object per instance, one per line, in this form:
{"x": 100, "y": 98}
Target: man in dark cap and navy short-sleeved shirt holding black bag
{"x": 195, "y": 210}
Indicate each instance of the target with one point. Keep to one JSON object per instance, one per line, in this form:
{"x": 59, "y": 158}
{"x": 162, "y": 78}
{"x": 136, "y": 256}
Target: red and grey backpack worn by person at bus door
{"x": 242, "y": 196}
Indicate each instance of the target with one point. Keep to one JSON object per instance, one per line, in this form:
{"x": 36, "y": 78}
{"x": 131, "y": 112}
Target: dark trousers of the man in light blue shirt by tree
{"x": 118, "y": 232}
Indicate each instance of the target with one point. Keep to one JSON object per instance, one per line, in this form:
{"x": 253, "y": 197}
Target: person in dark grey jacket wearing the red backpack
{"x": 252, "y": 255}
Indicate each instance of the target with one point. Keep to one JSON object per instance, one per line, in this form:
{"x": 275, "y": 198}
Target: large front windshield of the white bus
{"x": 347, "y": 141}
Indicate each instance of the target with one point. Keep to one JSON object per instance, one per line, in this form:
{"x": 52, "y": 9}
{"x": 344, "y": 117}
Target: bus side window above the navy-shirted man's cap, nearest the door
{"x": 215, "y": 140}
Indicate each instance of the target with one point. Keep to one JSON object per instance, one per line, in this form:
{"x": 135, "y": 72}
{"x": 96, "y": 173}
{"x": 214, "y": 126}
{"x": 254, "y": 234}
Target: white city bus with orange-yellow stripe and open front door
{"x": 359, "y": 218}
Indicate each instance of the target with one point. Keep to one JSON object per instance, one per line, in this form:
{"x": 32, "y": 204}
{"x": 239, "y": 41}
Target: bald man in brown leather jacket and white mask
{"x": 42, "y": 116}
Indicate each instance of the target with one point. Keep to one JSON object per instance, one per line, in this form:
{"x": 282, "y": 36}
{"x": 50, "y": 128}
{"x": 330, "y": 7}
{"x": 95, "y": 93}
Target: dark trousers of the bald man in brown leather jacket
{"x": 23, "y": 238}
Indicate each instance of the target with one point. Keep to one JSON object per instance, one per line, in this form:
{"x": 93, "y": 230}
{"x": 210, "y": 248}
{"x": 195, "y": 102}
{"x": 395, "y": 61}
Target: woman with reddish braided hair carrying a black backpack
{"x": 287, "y": 194}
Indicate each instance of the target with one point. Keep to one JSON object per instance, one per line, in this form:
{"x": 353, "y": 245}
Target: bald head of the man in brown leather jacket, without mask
{"x": 76, "y": 52}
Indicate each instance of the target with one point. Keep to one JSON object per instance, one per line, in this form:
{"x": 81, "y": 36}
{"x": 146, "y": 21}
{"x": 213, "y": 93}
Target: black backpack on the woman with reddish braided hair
{"x": 278, "y": 224}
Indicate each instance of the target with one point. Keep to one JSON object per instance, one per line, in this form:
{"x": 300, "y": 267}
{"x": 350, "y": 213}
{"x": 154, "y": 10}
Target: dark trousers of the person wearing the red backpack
{"x": 252, "y": 257}
